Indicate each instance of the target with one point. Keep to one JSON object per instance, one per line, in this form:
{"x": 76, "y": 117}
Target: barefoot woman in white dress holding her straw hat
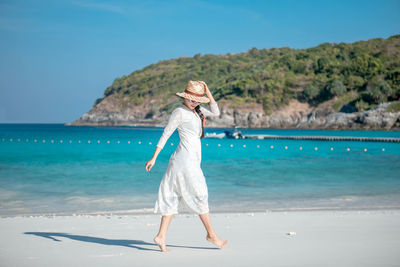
{"x": 183, "y": 184}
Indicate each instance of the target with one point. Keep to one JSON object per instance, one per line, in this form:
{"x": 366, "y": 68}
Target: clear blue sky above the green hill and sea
{"x": 57, "y": 57}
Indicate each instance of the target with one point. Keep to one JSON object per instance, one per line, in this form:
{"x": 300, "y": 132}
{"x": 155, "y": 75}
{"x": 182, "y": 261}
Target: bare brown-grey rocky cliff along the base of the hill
{"x": 295, "y": 115}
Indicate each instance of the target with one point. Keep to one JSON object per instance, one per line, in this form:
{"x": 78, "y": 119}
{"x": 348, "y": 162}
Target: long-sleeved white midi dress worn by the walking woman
{"x": 183, "y": 186}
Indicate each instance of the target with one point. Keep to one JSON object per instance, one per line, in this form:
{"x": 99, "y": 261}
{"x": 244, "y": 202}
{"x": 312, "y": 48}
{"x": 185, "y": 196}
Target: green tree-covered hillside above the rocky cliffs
{"x": 359, "y": 75}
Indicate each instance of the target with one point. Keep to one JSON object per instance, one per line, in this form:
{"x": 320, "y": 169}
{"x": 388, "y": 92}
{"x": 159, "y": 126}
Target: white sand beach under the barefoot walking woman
{"x": 320, "y": 238}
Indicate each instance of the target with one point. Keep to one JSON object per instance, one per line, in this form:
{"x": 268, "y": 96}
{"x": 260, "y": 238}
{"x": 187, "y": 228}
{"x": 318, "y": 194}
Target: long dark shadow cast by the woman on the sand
{"x": 105, "y": 241}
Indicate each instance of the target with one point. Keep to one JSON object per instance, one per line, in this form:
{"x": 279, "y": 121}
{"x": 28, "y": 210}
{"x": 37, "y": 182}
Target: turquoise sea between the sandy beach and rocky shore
{"x": 57, "y": 169}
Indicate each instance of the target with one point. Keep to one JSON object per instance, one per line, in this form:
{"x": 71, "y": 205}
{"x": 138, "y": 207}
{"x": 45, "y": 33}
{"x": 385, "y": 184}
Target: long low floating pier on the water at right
{"x": 324, "y": 138}
